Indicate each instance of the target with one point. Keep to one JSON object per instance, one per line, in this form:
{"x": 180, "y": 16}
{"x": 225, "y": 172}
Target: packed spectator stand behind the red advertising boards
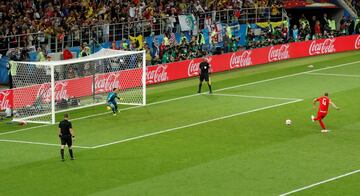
{"x": 42, "y": 27}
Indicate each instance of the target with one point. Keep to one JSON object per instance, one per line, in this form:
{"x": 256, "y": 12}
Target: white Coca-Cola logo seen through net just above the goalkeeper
{"x": 106, "y": 83}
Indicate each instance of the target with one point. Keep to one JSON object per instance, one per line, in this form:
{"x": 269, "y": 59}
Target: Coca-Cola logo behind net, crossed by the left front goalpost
{"x": 60, "y": 91}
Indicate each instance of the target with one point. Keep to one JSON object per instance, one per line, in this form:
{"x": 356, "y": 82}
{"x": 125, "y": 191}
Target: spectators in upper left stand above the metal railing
{"x": 59, "y": 16}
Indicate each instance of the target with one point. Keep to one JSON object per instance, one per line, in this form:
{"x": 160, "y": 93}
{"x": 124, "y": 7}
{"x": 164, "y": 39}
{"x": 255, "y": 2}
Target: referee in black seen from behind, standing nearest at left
{"x": 66, "y": 135}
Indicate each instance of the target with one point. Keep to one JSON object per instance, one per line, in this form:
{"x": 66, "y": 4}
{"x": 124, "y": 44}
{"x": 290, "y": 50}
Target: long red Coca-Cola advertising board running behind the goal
{"x": 178, "y": 70}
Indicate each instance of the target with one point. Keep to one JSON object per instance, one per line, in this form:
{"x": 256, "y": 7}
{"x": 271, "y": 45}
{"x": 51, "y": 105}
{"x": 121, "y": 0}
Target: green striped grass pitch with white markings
{"x": 234, "y": 142}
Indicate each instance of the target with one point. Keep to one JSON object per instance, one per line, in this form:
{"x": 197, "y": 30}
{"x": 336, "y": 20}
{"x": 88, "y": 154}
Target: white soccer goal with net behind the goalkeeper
{"x": 43, "y": 89}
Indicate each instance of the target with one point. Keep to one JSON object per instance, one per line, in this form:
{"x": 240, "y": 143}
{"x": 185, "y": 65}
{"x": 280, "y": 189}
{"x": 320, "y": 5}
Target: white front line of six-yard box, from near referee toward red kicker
{"x": 195, "y": 124}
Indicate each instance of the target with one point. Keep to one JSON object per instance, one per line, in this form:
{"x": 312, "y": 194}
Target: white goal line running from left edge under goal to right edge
{"x": 192, "y": 95}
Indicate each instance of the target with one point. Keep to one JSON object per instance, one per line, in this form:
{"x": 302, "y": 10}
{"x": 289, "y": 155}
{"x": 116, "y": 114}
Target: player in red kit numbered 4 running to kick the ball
{"x": 324, "y": 103}
